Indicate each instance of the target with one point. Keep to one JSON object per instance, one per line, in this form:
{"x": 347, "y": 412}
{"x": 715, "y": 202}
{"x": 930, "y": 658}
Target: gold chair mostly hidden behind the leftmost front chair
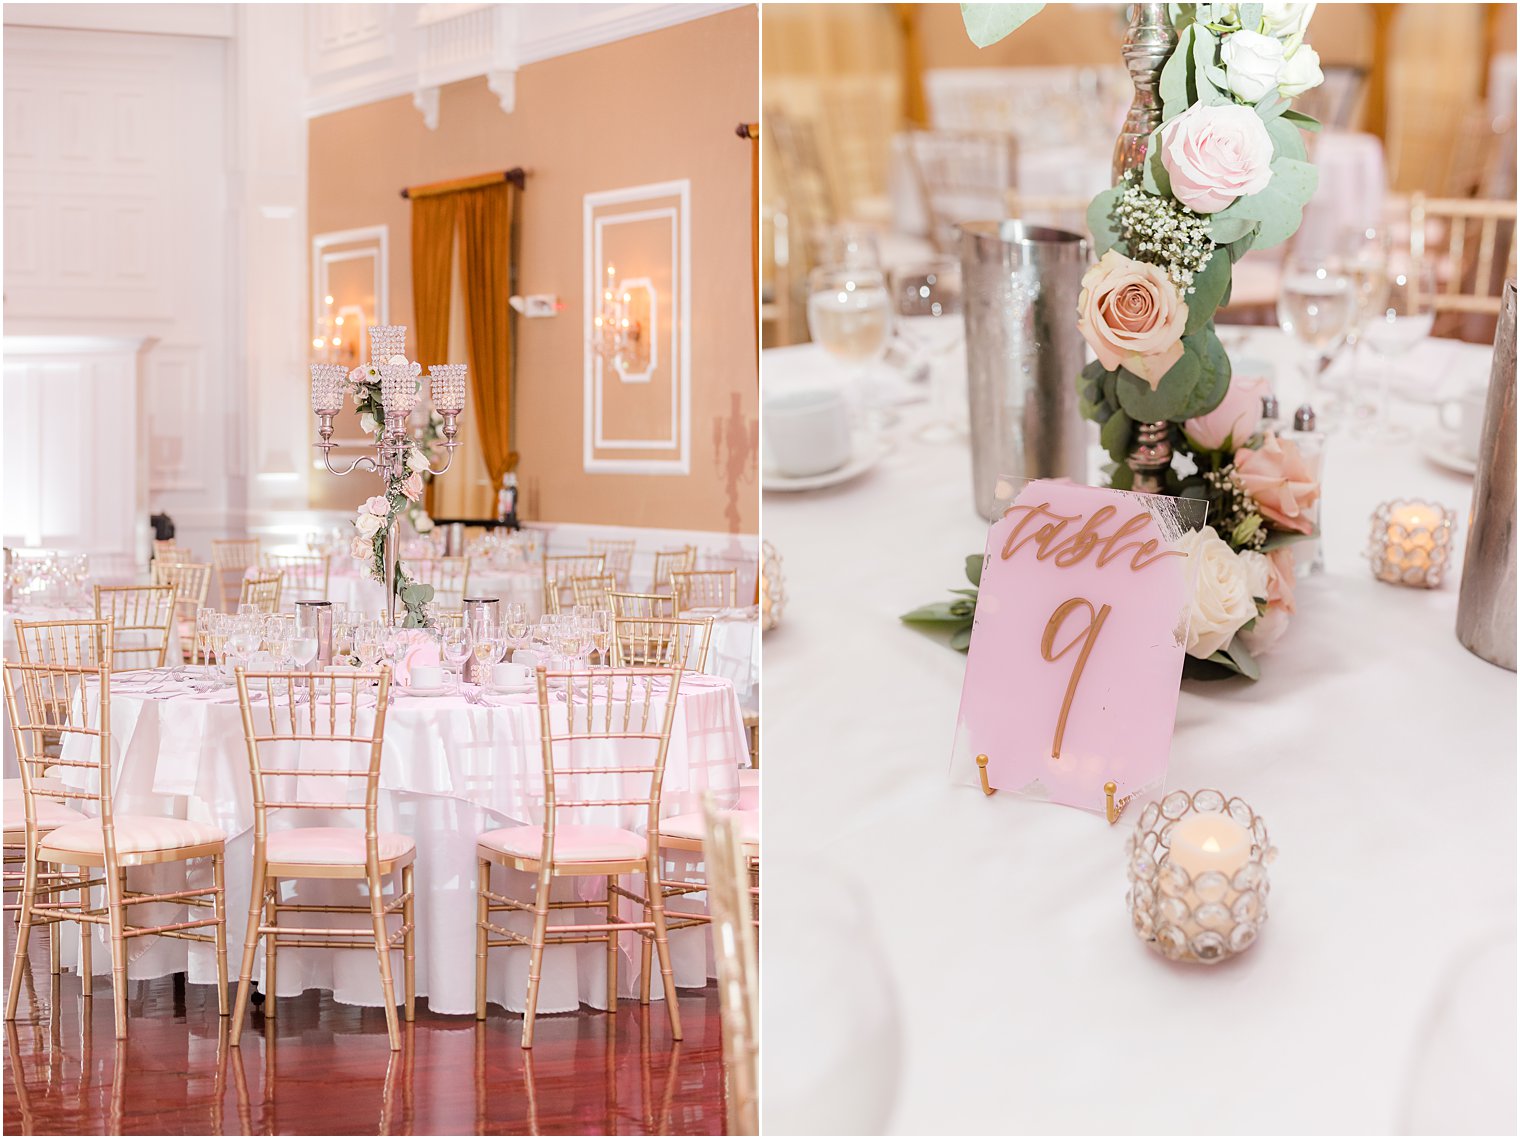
{"x": 81, "y": 644}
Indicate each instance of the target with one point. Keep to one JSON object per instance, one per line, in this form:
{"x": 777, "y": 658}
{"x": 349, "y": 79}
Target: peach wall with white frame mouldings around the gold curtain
{"x": 653, "y": 109}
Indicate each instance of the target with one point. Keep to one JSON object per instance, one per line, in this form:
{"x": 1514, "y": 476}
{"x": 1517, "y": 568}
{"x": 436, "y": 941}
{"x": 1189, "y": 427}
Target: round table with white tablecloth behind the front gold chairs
{"x": 451, "y": 772}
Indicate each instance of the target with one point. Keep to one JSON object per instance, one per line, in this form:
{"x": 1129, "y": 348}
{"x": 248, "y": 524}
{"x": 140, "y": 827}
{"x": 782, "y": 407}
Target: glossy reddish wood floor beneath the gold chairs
{"x": 326, "y": 1068}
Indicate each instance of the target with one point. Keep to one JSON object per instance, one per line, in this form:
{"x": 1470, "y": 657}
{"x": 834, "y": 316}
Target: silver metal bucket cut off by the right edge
{"x": 1486, "y": 611}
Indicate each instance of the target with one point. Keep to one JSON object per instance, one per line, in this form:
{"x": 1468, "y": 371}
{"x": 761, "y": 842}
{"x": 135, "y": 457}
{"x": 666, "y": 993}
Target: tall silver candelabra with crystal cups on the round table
{"x": 399, "y": 392}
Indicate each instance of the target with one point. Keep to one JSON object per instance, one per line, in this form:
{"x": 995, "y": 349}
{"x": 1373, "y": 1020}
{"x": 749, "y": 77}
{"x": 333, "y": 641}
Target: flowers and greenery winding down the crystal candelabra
{"x": 404, "y": 493}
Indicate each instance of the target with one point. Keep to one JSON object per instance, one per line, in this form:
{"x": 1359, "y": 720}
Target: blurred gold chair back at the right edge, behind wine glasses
{"x": 1478, "y": 235}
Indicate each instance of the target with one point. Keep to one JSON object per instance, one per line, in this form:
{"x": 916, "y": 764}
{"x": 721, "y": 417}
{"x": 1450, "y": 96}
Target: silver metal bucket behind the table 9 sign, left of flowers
{"x": 1024, "y": 354}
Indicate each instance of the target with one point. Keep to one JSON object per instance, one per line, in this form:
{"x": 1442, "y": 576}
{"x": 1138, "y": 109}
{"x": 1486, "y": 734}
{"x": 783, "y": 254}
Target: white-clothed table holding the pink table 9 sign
{"x": 1382, "y": 754}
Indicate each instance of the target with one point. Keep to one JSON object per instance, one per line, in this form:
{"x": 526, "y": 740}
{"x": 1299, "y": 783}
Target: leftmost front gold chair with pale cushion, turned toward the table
{"x": 110, "y": 843}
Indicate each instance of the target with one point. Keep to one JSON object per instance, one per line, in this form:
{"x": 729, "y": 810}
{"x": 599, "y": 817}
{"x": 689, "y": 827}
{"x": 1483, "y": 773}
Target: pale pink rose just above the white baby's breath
{"x": 1217, "y": 154}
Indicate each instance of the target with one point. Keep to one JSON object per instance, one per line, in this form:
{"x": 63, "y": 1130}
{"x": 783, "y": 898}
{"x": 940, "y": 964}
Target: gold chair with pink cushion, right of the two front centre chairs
{"x": 616, "y": 706}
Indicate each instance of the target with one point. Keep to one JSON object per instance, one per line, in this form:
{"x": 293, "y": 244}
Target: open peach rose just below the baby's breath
{"x": 1133, "y": 317}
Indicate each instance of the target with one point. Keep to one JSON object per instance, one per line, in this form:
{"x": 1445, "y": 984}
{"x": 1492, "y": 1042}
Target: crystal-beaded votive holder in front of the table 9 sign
{"x": 1217, "y": 910}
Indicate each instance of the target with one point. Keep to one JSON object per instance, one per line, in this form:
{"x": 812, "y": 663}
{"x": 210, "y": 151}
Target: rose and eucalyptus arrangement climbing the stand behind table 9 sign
{"x": 1224, "y": 171}
